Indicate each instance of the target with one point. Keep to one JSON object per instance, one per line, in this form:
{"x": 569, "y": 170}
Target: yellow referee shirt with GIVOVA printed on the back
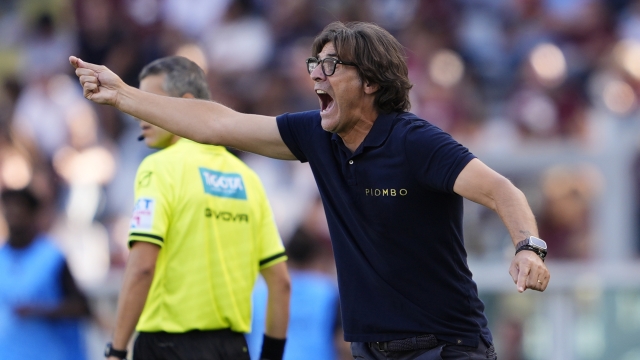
{"x": 209, "y": 213}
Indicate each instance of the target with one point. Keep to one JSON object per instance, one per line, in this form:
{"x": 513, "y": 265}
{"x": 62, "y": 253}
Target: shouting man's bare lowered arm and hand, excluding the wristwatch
{"x": 479, "y": 183}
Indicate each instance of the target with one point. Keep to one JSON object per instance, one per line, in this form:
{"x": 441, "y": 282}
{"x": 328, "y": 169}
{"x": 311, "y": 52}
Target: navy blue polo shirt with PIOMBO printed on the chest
{"x": 396, "y": 227}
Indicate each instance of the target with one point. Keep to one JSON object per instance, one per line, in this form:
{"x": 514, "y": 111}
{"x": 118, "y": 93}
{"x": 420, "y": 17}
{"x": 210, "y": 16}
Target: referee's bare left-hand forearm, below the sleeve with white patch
{"x": 138, "y": 276}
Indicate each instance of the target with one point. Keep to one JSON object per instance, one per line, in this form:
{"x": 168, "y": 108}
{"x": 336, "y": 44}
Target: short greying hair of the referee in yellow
{"x": 182, "y": 76}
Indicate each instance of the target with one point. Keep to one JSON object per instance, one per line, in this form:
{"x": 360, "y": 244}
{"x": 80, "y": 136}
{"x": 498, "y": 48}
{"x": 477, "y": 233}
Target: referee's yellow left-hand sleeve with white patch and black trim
{"x": 152, "y": 209}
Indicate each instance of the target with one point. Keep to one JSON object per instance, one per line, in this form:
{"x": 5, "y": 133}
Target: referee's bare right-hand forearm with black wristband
{"x": 279, "y": 287}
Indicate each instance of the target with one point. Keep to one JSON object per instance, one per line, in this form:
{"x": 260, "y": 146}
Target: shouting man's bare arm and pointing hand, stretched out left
{"x": 202, "y": 121}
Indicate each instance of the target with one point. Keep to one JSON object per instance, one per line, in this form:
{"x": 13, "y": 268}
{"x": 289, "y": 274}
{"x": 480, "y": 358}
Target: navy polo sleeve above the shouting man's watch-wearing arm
{"x": 434, "y": 156}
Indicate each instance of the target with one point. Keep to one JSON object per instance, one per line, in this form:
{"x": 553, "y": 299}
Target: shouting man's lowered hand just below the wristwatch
{"x": 528, "y": 271}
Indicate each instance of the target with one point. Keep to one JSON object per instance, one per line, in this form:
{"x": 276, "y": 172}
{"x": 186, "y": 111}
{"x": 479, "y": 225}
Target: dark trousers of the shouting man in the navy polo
{"x": 368, "y": 351}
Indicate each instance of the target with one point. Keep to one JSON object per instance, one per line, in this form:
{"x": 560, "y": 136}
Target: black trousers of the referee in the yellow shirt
{"x": 192, "y": 345}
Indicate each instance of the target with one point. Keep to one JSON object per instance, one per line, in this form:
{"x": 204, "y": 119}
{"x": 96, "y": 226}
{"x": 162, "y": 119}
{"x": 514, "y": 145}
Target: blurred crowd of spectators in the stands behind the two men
{"x": 499, "y": 75}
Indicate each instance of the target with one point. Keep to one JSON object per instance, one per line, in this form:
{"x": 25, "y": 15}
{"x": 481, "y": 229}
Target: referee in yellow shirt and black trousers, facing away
{"x": 201, "y": 231}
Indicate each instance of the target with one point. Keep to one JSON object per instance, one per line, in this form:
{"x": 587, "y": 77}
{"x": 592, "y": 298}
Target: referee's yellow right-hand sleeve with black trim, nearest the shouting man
{"x": 271, "y": 249}
